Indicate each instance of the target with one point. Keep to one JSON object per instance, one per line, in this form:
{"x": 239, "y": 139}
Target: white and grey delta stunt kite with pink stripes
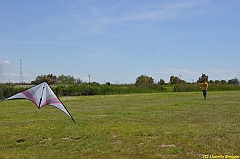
{"x": 42, "y": 95}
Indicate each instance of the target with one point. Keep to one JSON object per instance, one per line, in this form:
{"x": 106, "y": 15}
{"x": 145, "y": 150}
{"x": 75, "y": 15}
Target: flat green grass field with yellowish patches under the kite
{"x": 162, "y": 125}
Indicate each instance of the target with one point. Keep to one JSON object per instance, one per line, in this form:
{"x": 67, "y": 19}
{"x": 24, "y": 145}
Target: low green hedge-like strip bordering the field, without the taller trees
{"x": 7, "y": 90}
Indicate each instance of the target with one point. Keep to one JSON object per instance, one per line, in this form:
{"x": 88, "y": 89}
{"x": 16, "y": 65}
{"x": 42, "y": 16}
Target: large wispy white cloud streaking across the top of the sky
{"x": 97, "y": 20}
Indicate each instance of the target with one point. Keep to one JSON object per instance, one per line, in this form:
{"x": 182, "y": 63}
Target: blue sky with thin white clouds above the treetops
{"x": 117, "y": 41}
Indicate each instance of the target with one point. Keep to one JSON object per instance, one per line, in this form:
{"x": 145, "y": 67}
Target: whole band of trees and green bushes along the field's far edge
{"x": 69, "y": 86}
